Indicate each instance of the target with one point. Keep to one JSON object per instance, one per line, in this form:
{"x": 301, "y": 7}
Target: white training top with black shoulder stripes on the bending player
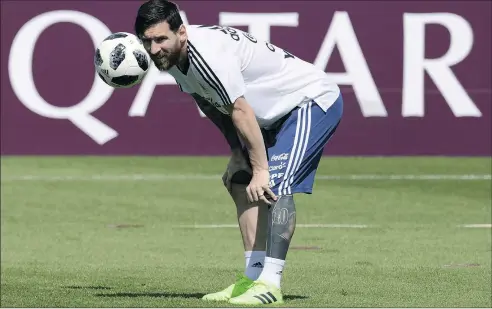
{"x": 226, "y": 63}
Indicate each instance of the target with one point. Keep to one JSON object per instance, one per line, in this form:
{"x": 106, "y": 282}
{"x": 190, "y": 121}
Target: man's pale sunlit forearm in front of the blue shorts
{"x": 245, "y": 122}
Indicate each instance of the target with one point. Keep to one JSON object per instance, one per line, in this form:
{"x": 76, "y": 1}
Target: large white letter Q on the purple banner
{"x": 21, "y": 77}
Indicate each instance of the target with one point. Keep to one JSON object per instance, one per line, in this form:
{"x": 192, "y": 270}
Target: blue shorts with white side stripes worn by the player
{"x": 295, "y": 148}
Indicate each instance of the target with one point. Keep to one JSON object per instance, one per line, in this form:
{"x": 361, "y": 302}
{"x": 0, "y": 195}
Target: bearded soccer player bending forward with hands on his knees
{"x": 276, "y": 111}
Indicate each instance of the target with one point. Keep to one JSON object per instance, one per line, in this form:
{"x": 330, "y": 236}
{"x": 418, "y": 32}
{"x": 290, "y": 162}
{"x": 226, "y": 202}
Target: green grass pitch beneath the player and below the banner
{"x": 91, "y": 232}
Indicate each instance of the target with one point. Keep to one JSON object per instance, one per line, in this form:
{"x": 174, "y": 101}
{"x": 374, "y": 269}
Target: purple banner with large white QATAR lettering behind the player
{"x": 415, "y": 76}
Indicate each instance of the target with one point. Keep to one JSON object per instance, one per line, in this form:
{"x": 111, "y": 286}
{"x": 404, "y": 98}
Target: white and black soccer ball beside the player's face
{"x": 121, "y": 60}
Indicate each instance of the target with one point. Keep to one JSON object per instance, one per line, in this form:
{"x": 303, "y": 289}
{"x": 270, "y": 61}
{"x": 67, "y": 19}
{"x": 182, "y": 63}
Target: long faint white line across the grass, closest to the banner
{"x": 217, "y": 177}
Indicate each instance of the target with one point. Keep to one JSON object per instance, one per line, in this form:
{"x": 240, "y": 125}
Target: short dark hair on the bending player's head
{"x": 153, "y": 12}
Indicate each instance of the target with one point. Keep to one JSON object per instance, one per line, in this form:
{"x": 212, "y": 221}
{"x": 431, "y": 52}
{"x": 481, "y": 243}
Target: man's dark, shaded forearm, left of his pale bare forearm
{"x": 221, "y": 121}
